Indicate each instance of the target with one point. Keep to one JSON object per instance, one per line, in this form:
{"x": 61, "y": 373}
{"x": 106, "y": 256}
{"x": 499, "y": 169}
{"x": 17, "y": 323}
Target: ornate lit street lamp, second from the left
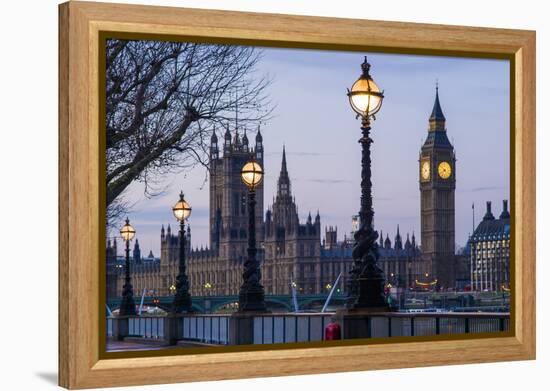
{"x": 182, "y": 298}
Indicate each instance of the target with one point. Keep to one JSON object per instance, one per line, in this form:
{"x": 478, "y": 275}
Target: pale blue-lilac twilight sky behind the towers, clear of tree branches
{"x": 315, "y": 122}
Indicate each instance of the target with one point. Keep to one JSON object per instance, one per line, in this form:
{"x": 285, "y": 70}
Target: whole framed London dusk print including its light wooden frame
{"x": 298, "y": 194}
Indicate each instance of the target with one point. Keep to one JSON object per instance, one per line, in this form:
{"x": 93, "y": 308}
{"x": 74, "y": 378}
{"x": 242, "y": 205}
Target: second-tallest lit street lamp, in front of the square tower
{"x": 251, "y": 294}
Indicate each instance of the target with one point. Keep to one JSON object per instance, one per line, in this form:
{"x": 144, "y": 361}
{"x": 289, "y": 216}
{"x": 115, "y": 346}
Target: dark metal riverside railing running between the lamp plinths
{"x": 310, "y": 327}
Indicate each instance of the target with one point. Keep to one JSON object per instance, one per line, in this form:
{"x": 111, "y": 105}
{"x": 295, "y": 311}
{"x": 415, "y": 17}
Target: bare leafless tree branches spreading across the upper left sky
{"x": 163, "y": 100}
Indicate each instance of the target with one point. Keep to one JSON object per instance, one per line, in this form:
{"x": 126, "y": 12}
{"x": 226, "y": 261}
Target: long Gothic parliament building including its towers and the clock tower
{"x": 296, "y": 253}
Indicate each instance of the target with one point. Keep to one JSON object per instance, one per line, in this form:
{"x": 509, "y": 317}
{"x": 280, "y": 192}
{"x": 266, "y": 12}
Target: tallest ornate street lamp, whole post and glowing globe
{"x": 366, "y": 283}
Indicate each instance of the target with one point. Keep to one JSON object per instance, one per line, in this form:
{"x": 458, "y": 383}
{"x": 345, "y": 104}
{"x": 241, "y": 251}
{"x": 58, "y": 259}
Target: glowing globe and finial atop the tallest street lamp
{"x": 365, "y": 96}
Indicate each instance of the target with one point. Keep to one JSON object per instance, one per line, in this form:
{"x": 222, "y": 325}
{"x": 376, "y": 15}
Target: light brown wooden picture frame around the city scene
{"x": 80, "y": 242}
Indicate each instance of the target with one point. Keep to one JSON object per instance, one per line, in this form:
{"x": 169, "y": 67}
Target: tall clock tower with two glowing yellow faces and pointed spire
{"x": 437, "y": 174}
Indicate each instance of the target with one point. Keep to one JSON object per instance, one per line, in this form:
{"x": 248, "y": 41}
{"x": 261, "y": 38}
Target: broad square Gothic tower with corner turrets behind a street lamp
{"x": 228, "y": 195}
